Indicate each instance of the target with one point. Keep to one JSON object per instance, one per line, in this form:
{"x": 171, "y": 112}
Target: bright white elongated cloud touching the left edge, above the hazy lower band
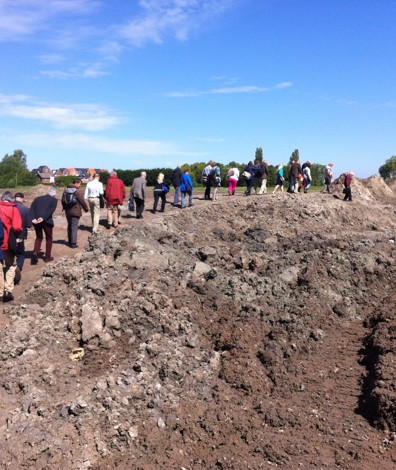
{"x": 82, "y": 116}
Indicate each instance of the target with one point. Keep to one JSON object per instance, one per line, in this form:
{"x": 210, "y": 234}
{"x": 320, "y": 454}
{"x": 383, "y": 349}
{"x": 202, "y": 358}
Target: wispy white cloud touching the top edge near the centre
{"x": 176, "y": 18}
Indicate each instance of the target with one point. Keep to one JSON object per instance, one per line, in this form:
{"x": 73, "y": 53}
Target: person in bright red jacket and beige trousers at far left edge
{"x": 12, "y": 224}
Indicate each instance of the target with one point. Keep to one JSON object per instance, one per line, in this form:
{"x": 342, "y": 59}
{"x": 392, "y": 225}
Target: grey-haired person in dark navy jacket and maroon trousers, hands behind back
{"x": 40, "y": 214}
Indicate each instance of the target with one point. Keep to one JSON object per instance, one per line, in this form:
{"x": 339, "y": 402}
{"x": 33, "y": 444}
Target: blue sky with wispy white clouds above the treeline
{"x": 153, "y": 83}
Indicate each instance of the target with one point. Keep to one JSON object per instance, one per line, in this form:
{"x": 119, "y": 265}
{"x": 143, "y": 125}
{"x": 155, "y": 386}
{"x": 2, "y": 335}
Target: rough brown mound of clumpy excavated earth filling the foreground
{"x": 245, "y": 333}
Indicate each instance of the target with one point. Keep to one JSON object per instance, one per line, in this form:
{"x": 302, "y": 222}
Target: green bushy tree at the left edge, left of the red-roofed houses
{"x": 14, "y": 171}
